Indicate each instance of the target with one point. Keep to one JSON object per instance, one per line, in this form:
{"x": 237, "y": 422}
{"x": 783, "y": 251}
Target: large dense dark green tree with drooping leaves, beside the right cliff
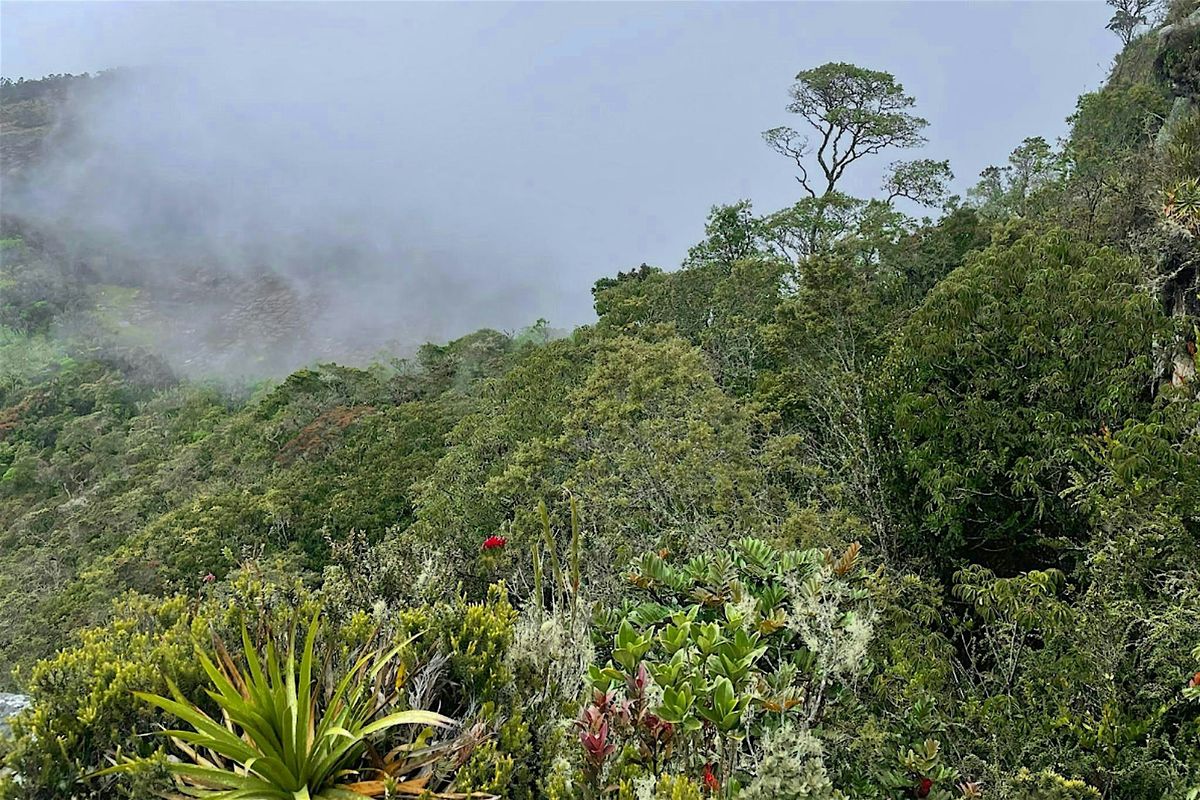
{"x": 999, "y": 378}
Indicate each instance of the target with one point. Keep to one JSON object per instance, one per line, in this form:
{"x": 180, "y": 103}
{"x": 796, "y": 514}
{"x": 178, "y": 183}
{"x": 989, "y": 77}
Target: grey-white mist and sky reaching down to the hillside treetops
{"x": 301, "y": 182}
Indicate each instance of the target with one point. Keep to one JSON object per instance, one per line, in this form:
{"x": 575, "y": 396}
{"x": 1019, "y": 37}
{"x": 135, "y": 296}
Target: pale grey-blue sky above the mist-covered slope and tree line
{"x": 513, "y": 154}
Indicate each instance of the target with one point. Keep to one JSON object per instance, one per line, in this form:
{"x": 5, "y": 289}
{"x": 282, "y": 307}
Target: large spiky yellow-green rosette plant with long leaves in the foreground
{"x": 278, "y": 739}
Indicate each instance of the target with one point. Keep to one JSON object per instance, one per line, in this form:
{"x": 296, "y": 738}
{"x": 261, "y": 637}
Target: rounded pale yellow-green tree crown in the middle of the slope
{"x": 651, "y": 449}
